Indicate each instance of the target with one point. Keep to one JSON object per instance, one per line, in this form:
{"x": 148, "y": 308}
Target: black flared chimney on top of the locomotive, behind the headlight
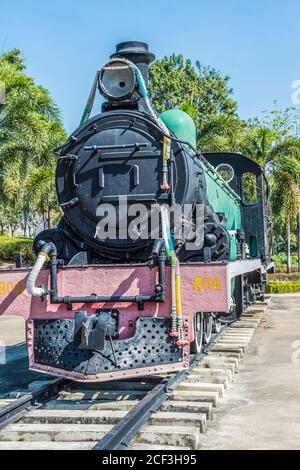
{"x": 138, "y": 53}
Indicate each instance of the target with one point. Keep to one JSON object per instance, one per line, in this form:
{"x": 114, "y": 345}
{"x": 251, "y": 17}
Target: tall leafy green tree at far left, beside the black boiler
{"x": 30, "y": 129}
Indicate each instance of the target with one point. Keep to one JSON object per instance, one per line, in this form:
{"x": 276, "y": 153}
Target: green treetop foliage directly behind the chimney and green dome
{"x": 203, "y": 93}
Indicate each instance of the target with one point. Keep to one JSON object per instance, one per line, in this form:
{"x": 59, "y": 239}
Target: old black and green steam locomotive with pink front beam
{"x": 158, "y": 244}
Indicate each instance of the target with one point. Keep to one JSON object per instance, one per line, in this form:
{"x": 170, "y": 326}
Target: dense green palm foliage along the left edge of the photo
{"x": 30, "y": 128}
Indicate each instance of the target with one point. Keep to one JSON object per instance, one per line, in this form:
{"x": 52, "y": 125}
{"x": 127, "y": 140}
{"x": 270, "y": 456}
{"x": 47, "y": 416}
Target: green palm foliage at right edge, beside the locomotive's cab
{"x": 274, "y": 144}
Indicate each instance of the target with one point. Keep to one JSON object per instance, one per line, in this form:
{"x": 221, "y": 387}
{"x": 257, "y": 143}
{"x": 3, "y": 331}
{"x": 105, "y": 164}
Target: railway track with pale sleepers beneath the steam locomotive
{"x": 161, "y": 412}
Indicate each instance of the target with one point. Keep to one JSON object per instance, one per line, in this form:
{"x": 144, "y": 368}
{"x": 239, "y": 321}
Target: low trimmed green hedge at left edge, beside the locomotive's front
{"x": 10, "y": 246}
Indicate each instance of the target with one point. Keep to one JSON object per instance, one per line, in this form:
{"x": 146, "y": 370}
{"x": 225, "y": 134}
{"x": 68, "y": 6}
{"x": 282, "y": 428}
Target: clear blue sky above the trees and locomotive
{"x": 256, "y": 42}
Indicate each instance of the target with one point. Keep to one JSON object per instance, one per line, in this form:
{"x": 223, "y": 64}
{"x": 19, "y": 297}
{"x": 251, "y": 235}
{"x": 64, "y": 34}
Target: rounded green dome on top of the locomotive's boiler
{"x": 181, "y": 124}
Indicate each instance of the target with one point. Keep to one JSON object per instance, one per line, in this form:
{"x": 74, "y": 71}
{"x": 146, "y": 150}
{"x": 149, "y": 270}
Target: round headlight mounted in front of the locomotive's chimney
{"x": 117, "y": 80}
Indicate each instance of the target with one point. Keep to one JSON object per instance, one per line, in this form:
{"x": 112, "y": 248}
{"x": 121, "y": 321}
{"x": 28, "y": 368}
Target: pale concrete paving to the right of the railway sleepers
{"x": 262, "y": 410}
